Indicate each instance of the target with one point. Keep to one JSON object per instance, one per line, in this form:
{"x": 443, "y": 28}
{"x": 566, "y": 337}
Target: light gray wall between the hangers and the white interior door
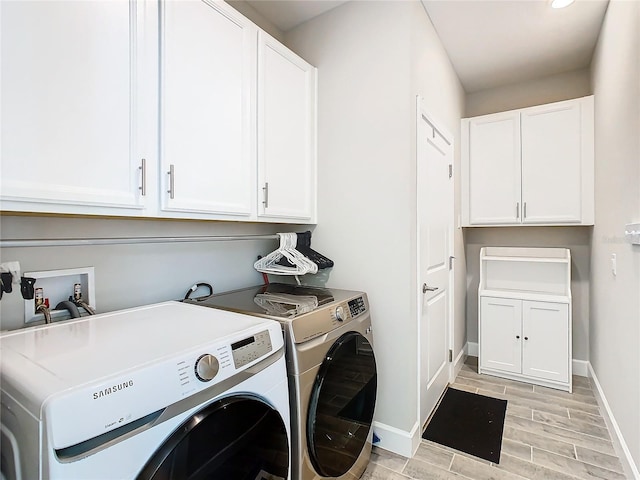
{"x": 373, "y": 58}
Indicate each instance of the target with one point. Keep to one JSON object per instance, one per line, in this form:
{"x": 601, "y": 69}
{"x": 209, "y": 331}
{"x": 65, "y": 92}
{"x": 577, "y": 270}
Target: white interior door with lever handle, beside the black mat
{"x": 435, "y": 232}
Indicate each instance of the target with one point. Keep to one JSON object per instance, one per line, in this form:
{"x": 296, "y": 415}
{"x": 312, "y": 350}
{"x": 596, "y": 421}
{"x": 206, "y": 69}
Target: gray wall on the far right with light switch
{"x": 615, "y": 300}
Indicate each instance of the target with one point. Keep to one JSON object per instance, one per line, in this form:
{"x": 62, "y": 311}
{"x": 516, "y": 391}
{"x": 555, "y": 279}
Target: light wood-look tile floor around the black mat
{"x": 548, "y": 435}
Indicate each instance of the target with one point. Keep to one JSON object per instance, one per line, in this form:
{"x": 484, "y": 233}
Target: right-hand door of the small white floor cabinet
{"x": 545, "y": 352}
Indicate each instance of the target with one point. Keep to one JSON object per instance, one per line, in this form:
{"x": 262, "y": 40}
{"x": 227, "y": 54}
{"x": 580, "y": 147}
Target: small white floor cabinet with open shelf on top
{"x": 525, "y": 315}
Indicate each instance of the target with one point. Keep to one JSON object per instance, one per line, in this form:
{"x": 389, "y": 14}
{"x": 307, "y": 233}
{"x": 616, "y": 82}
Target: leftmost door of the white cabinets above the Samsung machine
{"x": 71, "y": 106}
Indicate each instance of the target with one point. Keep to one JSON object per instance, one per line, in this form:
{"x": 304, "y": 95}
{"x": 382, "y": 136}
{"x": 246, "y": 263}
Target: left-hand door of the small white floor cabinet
{"x": 500, "y": 334}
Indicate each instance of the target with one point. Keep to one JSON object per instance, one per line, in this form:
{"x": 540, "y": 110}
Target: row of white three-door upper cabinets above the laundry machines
{"x": 84, "y": 139}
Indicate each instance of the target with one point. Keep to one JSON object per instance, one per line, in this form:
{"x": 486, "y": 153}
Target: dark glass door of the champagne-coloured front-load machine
{"x": 341, "y": 405}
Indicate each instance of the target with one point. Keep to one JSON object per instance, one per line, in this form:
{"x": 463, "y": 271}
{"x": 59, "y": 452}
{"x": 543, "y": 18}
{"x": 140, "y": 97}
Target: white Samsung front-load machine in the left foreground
{"x": 166, "y": 391}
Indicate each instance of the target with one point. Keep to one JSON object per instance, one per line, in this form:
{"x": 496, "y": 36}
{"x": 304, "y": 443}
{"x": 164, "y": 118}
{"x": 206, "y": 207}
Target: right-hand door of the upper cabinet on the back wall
{"x": 552, "y": 163}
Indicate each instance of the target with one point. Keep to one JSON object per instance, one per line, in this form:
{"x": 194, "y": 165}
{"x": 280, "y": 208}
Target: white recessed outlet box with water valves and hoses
{"x": 55, "y": 286}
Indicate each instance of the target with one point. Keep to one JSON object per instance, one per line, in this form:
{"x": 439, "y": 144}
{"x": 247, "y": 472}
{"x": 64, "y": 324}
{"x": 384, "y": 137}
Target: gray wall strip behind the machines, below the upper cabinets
{"x": 132, "y": 275}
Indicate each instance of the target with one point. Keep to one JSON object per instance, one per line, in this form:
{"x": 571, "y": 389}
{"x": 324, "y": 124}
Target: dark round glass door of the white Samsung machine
{"x": 235, "y": 437}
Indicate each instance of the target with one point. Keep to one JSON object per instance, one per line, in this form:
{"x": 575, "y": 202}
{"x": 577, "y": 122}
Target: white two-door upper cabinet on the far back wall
{"x": 533, "y": 166}
